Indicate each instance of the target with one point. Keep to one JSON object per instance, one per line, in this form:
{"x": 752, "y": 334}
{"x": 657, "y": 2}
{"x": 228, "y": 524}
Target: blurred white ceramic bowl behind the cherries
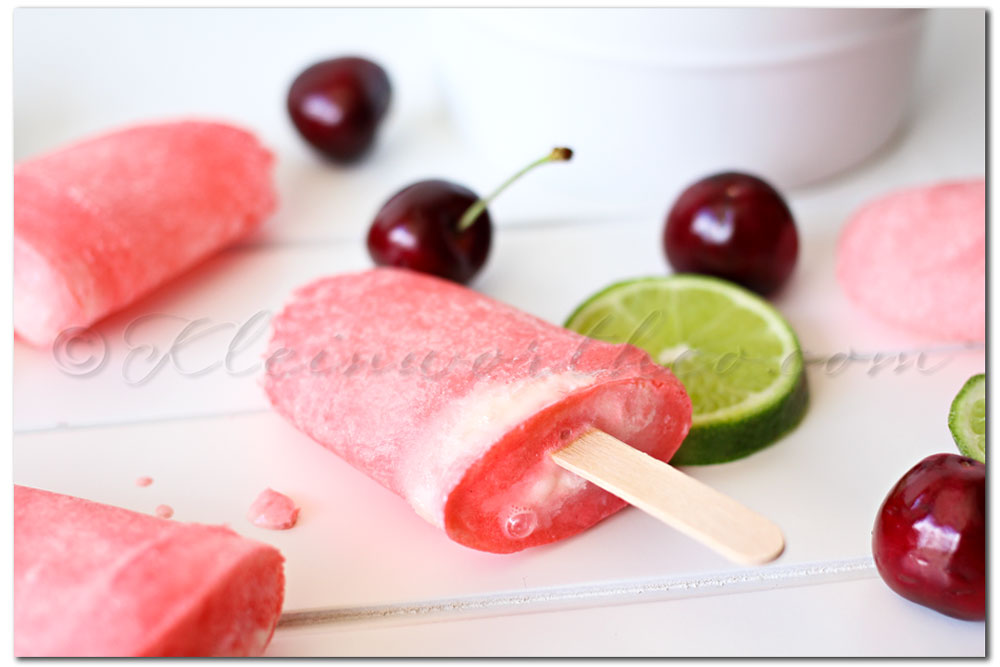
{"x": 652, "y": 99}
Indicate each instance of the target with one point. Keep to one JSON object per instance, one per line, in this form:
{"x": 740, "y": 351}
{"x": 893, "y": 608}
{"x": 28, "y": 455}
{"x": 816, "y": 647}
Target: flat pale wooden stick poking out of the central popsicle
{"x": 697, "y": 510}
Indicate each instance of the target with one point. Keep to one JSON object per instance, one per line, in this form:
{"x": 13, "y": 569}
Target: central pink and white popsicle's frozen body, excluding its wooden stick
{"x": 452, "y": 400}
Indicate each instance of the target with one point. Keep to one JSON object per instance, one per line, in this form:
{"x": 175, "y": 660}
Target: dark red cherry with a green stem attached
{"x": 439, "y": 227}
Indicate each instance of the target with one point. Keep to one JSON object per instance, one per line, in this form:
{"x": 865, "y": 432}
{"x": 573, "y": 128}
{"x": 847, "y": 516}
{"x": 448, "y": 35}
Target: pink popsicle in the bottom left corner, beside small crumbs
{"x": 95, "y": 580}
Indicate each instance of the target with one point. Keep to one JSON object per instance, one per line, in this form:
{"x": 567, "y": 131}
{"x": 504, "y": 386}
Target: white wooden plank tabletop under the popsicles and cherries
{"x": 390, "y": 583}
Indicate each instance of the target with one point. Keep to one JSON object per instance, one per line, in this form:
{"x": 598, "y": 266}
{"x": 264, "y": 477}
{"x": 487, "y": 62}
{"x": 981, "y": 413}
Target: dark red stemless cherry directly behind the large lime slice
{"x": 734, "y": 226}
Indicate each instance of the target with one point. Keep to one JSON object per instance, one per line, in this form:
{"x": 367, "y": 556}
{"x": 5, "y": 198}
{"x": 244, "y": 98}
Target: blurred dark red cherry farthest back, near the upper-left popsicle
{"x": 337, "y": 106}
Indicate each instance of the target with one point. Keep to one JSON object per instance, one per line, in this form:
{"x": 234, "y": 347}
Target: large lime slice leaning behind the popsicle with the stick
{"x": 735, "y": 354}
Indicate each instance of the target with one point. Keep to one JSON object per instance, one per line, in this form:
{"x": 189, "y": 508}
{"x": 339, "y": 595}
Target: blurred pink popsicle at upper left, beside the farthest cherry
{"x": 101, "y": 223}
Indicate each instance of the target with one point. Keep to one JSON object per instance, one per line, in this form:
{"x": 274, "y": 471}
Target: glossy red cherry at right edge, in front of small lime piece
{"x": 929, "y": 539}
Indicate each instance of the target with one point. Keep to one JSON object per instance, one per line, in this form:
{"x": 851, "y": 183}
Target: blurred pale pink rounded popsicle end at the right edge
{"x": 917, "y": 259}
